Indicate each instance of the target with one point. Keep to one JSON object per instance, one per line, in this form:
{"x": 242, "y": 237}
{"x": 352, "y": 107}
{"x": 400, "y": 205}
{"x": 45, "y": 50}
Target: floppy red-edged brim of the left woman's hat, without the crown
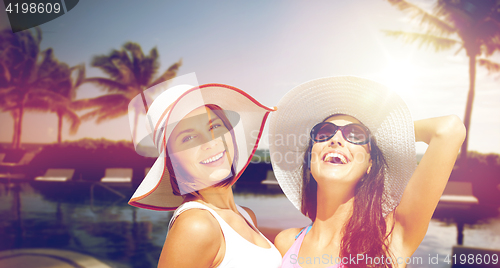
{"x": 155, "y": 191}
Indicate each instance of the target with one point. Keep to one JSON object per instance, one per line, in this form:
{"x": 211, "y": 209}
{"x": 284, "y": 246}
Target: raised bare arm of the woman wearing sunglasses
{"x": 444, "y": 135}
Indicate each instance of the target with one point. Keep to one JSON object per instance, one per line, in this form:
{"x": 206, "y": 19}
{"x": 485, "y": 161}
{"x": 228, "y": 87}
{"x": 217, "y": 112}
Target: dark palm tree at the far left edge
{"x": 26, "y": 73}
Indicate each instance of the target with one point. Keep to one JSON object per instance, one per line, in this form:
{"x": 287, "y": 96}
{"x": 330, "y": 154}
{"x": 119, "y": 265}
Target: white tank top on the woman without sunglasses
{"x": 239, "y": 252}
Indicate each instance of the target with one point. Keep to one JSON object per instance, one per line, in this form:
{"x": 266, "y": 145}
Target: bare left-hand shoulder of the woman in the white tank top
{"x": 193, "y": 241}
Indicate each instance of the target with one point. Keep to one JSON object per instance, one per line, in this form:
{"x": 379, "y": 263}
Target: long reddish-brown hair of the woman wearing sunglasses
{"x": 365, "y": 232}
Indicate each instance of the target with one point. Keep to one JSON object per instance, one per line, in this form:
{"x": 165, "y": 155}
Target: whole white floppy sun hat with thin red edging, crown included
{"x": 155, "y": 192}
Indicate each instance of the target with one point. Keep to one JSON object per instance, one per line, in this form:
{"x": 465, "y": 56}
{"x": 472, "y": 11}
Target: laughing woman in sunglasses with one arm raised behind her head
{"x": 352, "y": 170}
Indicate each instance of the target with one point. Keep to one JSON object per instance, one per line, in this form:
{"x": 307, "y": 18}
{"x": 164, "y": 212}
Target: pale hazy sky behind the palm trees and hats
{"x": 266, "y": 48}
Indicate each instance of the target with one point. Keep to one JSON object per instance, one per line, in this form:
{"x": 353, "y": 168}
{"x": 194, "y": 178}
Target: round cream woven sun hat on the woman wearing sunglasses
{"x": 375, "y": 106}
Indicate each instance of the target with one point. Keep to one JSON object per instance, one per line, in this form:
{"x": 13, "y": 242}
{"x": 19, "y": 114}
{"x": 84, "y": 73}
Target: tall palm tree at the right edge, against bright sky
{"x": 473, "y": 26}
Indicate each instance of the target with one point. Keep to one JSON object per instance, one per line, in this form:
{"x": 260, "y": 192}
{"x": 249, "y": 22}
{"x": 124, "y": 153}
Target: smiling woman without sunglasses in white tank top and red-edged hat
{"x": 205, "y": 137}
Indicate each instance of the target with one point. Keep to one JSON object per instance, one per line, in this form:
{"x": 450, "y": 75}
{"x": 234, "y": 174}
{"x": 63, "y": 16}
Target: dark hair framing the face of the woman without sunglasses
{"x": 229, "y": 180}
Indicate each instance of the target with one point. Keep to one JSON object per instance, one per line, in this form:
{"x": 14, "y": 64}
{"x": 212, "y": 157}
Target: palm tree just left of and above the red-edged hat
{"x": 130, "y": 73}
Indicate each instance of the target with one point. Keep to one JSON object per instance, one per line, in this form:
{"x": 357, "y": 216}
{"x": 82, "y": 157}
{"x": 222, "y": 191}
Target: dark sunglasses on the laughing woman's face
{"x": 353, "y": 133}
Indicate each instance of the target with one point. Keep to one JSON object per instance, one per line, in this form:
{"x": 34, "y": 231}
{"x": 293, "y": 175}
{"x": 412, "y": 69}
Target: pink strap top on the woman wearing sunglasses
{"x": 292, "y": 260}
